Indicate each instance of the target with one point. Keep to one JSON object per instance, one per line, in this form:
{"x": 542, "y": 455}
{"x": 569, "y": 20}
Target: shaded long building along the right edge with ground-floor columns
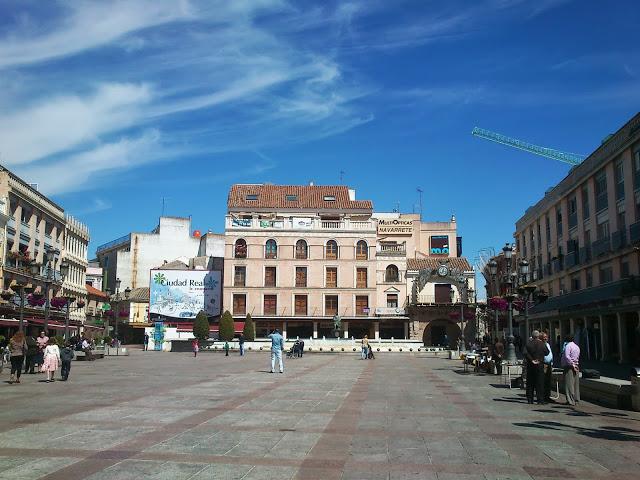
{"x": 582, "y": 242}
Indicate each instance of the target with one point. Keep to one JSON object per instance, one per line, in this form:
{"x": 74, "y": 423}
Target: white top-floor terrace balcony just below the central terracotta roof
{"x": 297, "y": 223}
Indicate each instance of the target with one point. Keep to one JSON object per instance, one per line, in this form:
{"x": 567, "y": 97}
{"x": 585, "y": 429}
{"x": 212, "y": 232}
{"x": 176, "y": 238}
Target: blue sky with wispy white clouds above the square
{"x": 112, "y": 106}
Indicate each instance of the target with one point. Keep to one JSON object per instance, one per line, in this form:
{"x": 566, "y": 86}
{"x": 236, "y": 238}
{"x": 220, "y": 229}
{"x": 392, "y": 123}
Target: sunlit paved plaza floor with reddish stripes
{"x": 170, "y": 416}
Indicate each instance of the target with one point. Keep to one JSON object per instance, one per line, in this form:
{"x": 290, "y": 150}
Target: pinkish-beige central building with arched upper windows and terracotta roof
{"x": 297, "y": 257}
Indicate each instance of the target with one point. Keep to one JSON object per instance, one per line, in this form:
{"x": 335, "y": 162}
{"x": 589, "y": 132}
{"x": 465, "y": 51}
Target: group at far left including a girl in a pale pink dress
{"x": 41, "y": 352}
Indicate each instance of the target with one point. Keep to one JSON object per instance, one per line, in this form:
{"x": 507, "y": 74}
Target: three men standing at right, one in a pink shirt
{"x": 539, "y": 368}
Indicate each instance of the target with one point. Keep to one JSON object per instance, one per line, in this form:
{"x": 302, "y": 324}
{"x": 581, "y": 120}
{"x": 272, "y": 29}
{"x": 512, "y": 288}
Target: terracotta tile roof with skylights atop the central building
{"x": 306, "y": 196}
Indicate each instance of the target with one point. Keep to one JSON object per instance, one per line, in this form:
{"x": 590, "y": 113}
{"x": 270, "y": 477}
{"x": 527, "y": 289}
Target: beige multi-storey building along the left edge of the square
{"x": 34, "y": 226}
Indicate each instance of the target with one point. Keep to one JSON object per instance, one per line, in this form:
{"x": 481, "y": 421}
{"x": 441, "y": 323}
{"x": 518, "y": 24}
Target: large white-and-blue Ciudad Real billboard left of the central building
{"x": 183, "y": 293}
